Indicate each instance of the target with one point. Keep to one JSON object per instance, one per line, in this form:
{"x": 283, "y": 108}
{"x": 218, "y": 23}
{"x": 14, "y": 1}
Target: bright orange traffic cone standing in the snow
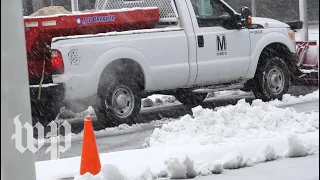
{"x": 90, "y": 161}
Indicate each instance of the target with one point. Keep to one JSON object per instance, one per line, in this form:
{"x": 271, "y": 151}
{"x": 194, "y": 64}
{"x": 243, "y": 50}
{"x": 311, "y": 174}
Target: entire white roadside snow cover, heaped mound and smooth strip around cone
{"x": 208, "y": 143}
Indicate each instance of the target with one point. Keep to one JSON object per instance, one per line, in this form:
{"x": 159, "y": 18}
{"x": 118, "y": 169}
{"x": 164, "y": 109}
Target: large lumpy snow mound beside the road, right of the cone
{"x": 233, "y": 123}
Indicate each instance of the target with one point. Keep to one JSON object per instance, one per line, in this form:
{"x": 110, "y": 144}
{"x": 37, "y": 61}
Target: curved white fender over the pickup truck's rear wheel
{"x": 116, "y": 53}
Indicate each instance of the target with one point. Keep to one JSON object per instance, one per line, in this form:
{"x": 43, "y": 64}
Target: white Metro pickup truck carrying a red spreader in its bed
{"x": 211, "y": 48}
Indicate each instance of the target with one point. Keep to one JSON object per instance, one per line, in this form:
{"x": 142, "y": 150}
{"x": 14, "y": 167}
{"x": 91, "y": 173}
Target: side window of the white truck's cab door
{"x": 210, "y": 13}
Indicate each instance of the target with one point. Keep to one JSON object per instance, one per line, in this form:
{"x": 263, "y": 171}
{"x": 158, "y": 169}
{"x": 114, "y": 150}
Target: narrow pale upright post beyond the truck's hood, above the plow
{"x": 303, "y": 11}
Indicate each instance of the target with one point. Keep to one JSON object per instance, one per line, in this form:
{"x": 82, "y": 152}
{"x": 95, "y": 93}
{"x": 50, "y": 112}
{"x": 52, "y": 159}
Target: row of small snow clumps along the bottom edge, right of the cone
{"x": 233, "y": 160}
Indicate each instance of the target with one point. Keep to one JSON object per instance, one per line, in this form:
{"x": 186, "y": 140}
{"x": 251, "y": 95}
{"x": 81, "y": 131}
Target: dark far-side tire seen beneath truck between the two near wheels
{"x": 190, "y": 98}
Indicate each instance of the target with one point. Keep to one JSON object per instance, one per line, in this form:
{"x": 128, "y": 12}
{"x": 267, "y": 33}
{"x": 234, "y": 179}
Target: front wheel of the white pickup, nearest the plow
{"x": 272, "y": 79}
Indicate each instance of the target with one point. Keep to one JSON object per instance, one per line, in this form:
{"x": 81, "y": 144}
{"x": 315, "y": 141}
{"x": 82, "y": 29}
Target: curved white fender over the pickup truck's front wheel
{"x": 267, "y": 39}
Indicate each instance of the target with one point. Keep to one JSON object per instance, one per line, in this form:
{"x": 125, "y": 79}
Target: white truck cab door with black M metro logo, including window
{"x": 222, "y": 50}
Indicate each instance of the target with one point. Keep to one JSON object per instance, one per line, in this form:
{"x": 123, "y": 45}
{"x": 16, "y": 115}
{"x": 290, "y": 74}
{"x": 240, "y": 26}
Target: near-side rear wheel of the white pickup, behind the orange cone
{"x": 120, "y": 102}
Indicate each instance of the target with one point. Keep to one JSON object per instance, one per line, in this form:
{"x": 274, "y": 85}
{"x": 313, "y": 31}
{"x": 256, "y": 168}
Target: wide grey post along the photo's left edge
{"x": 15, "y": 97}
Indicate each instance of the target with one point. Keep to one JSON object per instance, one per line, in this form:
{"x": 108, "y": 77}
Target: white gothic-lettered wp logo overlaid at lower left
{"x": 54, "y": 148}
